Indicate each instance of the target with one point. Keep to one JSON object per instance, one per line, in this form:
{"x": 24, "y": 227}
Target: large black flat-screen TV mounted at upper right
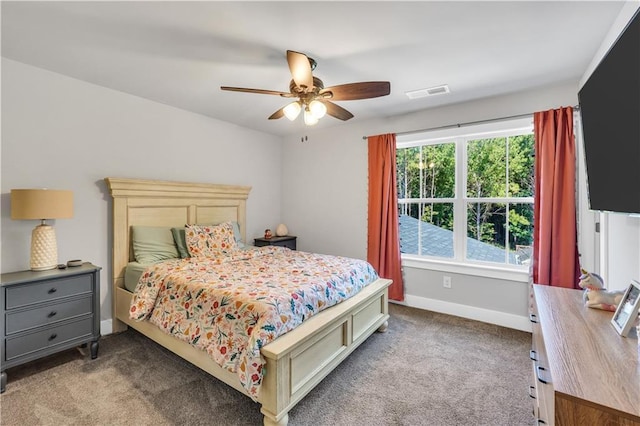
{"x": 610, "y": 111}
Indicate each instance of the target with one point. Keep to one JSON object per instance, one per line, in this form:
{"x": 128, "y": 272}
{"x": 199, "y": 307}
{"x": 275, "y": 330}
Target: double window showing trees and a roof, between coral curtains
{"x": 466, "y": 194}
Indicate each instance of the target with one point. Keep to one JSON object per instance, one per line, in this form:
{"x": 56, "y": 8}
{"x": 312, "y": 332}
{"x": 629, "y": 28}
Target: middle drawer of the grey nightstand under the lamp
{"x": 26, "y": 319}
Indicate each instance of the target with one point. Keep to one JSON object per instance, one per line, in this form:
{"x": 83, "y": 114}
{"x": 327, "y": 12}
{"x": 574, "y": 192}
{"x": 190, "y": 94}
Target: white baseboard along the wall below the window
{"x": 503, "y": 319}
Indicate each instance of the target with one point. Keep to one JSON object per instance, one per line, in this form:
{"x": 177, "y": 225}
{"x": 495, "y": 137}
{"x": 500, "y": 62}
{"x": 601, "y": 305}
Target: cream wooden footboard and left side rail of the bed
{"x": 295, "y": 362}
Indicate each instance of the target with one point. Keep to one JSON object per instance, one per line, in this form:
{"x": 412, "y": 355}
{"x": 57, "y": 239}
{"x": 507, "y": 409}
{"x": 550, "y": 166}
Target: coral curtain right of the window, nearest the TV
{"x": 555, "y": 249}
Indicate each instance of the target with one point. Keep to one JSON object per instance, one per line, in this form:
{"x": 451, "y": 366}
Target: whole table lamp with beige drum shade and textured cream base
{"x": 42, "y": 204}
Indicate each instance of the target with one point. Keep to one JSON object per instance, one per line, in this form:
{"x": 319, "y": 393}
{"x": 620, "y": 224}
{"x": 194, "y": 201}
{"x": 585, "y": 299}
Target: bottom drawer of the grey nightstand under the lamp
{"x": 33, "y": 342}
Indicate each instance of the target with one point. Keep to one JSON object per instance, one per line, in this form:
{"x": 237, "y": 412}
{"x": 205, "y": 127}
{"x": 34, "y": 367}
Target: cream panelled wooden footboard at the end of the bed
{"x": 300, "y": 359}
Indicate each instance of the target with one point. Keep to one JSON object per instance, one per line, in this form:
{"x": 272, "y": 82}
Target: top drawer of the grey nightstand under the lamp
{"x": 44, "y": 291}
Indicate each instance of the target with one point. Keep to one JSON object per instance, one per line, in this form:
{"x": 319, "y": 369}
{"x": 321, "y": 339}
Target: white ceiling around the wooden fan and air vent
{"x": 180, "y": 53}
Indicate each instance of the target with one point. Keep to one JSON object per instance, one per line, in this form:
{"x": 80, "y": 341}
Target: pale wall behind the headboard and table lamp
{"x": 62, "y": 133}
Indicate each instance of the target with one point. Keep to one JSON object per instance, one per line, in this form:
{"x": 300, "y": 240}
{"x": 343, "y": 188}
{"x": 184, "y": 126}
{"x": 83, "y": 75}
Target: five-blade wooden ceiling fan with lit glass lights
{"x": 313, "y": 98}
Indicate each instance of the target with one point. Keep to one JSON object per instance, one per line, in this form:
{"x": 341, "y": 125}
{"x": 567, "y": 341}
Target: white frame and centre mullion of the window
{"x": 460, "y": 135}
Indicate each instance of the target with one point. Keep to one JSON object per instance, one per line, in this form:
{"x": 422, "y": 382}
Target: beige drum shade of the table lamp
{"x": 41, "y": 204}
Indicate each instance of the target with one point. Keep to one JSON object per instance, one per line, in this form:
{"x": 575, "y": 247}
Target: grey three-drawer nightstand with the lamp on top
{"x": 46, "y": 312}
